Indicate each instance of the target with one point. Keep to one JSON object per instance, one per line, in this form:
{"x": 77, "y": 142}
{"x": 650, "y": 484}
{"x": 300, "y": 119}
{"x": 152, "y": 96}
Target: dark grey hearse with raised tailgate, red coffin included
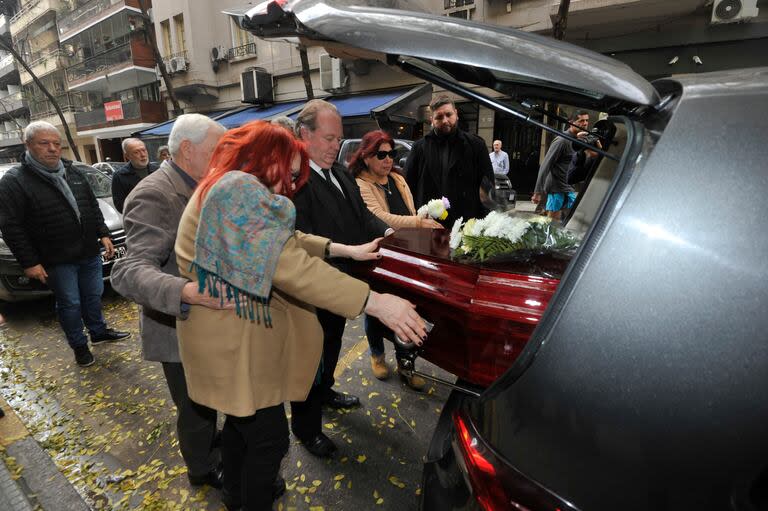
{"x": 643, "y": 383}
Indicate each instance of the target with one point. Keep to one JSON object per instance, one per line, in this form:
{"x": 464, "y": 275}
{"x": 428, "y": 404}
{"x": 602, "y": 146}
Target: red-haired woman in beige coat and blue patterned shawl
{"x": 237, "y": 237}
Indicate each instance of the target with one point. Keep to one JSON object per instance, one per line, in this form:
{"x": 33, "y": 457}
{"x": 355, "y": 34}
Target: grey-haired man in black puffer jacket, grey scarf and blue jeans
{"x": 51, "y": 221}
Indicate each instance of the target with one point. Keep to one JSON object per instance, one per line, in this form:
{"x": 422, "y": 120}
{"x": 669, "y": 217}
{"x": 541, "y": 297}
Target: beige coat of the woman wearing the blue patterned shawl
{"x": 238, "y": 366}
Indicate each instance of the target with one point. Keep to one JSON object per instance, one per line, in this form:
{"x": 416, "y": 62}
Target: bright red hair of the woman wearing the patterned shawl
{"x": 259, "y": 148}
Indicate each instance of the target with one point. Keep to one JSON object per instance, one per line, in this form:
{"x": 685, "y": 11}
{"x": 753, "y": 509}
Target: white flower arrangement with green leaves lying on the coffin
{"x": 502, "y": 233}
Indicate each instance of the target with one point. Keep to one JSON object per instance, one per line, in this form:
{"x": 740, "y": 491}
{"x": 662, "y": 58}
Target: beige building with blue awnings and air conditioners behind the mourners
{"x": 207, "y": 54}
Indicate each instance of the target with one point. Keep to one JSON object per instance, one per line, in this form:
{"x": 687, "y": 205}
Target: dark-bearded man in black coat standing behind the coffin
{"x": 452, "y": 163}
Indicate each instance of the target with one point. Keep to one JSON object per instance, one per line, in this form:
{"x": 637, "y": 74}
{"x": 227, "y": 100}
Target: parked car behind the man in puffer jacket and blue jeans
{"x": 15, "y": 286}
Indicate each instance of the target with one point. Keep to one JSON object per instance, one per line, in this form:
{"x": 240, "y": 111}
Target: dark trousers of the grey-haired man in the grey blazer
{"x": 195, "y": 424}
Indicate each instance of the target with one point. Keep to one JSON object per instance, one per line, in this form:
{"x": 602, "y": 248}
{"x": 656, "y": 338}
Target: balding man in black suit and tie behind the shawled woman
{"x": 328, "y": 205}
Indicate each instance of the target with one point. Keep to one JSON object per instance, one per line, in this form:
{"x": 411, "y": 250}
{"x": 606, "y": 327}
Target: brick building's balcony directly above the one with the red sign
{"x": 123, "y": 67}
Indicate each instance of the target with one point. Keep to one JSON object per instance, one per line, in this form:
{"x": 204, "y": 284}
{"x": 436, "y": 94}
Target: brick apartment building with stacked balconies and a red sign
{"x": 110, "y": 64}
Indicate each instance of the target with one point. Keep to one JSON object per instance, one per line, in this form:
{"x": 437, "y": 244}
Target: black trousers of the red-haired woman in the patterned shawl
{"x": 252, "y": 449}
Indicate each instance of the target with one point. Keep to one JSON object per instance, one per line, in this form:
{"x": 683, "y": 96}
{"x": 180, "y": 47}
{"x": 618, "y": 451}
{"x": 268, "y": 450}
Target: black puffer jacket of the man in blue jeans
{"x": 39, "y": 225}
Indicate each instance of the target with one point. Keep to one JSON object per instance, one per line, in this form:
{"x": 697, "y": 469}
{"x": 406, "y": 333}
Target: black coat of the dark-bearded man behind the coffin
{"x": 469, "y": 169}
